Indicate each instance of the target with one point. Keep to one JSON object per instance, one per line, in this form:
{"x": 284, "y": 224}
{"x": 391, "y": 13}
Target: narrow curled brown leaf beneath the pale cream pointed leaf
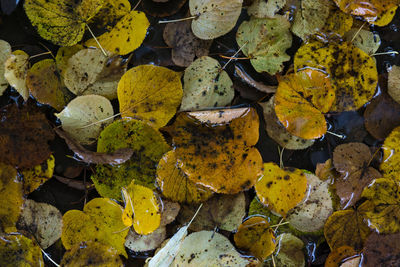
{"x": 118, "y": 157}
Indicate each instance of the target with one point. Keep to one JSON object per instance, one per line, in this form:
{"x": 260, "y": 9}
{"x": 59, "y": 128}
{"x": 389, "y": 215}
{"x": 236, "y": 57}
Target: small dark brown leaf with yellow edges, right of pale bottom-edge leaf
{"x": 255, "y": 236}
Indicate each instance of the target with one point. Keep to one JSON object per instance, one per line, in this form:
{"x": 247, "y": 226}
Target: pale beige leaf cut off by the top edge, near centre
{"x": 214, "y": 17}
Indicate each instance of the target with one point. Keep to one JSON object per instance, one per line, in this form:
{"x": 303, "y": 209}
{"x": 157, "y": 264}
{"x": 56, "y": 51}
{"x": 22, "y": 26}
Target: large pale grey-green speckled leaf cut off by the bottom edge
{"x": 208, "y": 249}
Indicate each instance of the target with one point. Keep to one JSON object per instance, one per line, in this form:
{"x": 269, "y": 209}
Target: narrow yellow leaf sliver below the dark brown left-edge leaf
{"x": 38, "y": 175}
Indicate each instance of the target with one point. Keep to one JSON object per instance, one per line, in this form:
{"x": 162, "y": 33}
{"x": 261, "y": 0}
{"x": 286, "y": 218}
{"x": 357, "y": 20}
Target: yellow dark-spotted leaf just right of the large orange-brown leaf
{"x": 281, "y": 189}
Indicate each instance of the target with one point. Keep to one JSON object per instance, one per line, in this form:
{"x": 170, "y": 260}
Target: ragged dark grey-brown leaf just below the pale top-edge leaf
{"x": 185, "y": 46}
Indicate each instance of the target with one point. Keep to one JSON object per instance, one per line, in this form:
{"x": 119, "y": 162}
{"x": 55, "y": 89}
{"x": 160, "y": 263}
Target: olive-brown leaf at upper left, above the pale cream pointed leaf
{"x": 44, "y": 82}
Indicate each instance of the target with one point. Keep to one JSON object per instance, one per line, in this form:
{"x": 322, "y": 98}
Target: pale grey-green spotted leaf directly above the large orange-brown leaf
{"x": 206, "y": 85}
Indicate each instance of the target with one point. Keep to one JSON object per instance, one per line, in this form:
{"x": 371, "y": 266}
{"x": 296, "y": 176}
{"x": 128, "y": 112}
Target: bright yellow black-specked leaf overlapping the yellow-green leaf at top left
{"x": 127, "y": 35}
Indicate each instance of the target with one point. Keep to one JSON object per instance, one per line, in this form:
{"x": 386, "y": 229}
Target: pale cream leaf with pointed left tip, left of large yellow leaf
{"x": 85, "y": 116}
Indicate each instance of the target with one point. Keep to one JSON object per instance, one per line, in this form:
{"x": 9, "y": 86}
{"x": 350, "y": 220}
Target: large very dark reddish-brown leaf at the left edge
{"x": 24, "y": 136}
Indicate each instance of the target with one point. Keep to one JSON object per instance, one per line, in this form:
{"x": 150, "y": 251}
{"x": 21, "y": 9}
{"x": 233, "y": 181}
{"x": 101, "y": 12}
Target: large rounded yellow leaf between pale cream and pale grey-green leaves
{"x": 150, "y": 93}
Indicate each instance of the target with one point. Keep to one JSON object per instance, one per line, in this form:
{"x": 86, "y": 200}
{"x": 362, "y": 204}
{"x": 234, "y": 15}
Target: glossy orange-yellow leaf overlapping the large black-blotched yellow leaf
{"x": 301, "y": 101}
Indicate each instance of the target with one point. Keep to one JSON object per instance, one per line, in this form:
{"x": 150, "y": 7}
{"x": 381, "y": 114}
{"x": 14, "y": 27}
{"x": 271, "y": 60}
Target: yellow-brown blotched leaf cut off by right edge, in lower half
{"x": 382, "y": 208}
